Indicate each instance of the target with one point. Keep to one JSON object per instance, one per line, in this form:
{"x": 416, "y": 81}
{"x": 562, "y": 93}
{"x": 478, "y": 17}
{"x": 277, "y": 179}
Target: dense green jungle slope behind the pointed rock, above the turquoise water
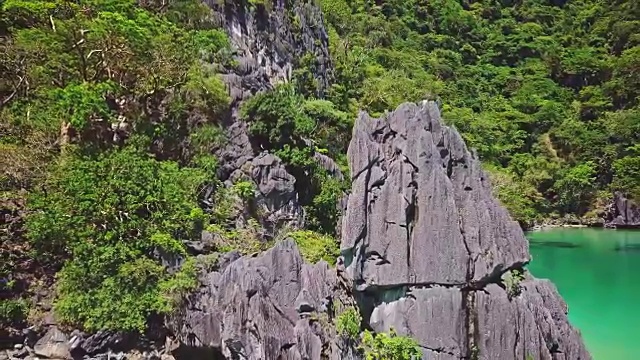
{"x": 547, "y": 91}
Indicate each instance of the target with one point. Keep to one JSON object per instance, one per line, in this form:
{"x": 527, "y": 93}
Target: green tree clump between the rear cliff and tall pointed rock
{"x": 295, "y": 129}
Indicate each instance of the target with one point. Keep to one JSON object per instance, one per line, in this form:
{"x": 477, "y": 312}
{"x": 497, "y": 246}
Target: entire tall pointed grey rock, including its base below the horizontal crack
{"x": 427, "y": 246}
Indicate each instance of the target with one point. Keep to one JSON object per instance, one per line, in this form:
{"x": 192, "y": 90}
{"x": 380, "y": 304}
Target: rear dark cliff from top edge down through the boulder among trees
{"x": 268, "y": 38}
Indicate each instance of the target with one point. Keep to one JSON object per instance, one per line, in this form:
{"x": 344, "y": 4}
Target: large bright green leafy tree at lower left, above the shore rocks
{"x": 115, "y": 230}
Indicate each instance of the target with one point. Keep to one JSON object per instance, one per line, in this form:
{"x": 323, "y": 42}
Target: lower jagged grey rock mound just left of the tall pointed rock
{"x": 265, "y": 307}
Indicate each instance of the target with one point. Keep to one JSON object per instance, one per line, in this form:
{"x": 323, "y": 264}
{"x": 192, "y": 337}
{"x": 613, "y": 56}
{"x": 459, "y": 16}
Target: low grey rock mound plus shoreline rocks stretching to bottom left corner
{"x": 271, "y": 306}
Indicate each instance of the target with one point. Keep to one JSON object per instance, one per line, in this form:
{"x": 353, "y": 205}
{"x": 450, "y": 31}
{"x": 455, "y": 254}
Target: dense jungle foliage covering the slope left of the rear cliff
{"x": 104, "y": 212}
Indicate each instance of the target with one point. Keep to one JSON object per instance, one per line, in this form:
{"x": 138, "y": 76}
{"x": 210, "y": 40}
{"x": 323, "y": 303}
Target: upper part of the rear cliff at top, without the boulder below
{"x": 267, "y": 40}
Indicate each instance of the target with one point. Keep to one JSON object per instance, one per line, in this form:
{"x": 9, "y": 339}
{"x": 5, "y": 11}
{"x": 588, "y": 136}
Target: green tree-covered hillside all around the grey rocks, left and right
{"x": 112, "y": 113}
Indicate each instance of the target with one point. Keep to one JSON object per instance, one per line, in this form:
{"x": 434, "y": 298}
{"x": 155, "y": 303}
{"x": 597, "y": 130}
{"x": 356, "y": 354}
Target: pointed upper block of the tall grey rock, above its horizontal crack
{"x": 421, "y": 211}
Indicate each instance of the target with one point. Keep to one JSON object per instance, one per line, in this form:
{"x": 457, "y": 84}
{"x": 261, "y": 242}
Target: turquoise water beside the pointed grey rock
{"x": 597, "y": 272}
